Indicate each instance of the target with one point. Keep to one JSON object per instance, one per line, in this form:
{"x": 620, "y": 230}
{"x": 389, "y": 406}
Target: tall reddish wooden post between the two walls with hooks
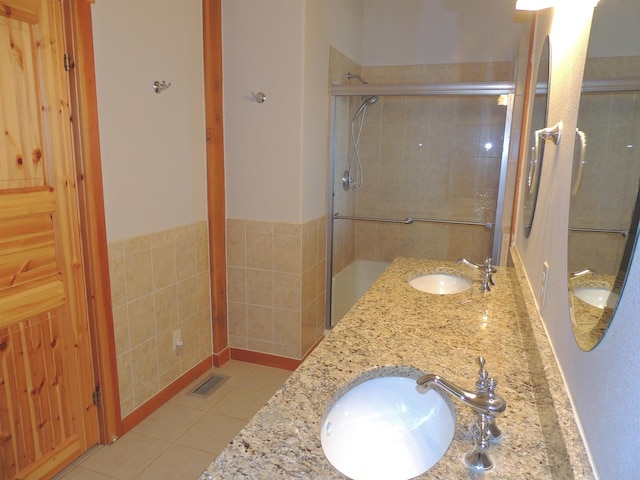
{"x": 212, "y": 52}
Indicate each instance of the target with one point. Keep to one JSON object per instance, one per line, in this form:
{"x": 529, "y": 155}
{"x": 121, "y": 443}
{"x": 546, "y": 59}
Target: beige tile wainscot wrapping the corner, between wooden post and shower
{"x": 276, "y": 285}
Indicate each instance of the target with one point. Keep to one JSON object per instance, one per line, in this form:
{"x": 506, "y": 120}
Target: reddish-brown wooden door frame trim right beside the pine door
{"x": 89, "y": 171}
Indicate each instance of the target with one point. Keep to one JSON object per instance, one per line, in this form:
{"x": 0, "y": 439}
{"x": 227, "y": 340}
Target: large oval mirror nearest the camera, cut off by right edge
{"x": 604, "y": 206}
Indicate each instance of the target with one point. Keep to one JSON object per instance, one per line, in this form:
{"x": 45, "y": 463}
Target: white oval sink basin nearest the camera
{"x": 385, "y": 428}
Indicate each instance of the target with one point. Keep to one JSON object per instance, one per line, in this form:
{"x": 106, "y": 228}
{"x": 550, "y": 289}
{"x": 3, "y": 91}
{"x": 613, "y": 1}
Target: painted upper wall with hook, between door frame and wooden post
{"x": 153, "y": 146}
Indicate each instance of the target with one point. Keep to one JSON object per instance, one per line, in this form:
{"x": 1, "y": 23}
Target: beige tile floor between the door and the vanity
{"x": 181, "y": 438}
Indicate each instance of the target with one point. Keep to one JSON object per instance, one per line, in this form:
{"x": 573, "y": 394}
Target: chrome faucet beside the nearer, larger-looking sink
{"x": 485, "y": 402}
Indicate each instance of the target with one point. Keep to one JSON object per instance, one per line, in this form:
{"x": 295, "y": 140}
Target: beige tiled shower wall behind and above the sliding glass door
{"x": 423, "y": 157}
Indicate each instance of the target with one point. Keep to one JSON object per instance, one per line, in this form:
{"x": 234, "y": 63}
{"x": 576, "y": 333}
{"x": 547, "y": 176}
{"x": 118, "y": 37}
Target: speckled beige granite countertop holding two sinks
{"x": 396, "y": 325}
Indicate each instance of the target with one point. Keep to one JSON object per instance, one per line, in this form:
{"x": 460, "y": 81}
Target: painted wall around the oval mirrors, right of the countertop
{"x": 603, "y": 383}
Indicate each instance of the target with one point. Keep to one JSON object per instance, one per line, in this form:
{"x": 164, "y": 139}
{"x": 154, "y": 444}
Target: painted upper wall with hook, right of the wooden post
{"x": 263, "y": 50}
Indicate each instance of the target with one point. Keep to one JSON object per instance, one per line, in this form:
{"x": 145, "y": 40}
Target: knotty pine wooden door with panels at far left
{"x": 47, "y": 412}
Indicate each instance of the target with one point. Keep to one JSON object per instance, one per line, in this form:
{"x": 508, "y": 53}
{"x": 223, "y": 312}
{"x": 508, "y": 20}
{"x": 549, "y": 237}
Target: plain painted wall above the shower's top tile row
{"x": 415, "y": 32}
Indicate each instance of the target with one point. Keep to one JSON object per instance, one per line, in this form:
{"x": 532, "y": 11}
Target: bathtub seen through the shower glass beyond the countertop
{"x": 350, "y": 284}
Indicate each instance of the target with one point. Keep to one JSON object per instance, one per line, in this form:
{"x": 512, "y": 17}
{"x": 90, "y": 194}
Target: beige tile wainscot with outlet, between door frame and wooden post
{"x": 159, "y": 284}
